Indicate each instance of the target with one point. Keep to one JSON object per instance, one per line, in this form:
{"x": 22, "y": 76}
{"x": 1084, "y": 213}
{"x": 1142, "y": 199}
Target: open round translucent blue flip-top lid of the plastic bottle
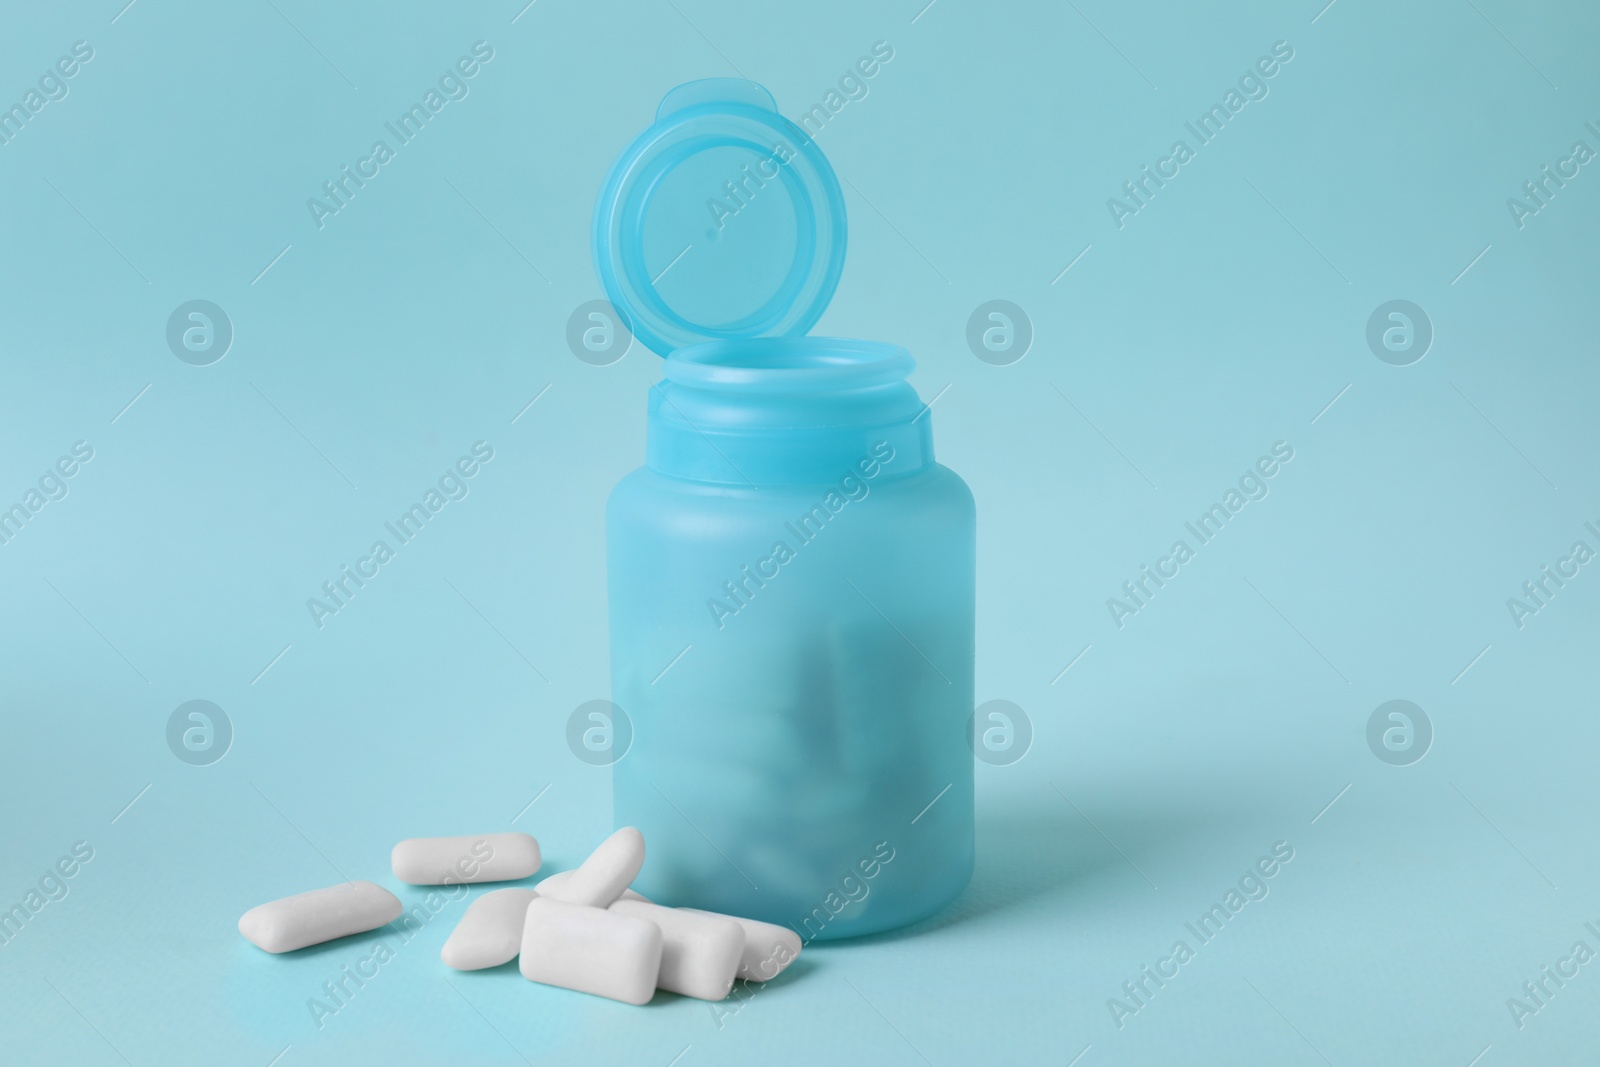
{"x": 721, "y": 222}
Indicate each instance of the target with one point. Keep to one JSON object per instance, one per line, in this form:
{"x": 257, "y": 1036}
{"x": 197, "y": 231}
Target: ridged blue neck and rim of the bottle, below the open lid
{"x": 786, "y": 412}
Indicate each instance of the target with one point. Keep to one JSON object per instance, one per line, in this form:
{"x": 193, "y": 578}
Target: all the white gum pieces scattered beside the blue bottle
{"x": 582, "y": 930}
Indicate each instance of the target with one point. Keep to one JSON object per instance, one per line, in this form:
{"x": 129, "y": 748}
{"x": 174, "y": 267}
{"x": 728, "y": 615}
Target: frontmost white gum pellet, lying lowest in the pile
{"x": 591, "y": 949}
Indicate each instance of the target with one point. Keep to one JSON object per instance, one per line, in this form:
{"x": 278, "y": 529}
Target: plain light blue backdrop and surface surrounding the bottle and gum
{"x": 1225, "y": 318}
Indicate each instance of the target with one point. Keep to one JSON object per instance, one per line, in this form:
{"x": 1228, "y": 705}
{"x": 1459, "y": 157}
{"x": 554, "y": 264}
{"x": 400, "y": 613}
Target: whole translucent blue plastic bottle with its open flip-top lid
{"x": 791, "y": 573}
